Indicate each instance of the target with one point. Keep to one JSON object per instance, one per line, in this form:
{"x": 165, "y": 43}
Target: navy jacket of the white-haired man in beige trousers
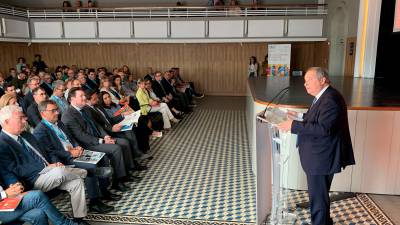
{"x": 18, "y": 165}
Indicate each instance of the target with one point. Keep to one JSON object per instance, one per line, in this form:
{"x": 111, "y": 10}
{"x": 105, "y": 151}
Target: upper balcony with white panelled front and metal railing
{"x": 242, "y": 23}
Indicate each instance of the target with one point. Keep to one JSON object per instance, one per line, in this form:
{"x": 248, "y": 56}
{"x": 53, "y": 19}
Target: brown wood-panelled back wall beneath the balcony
{"x": 216, "y": 68}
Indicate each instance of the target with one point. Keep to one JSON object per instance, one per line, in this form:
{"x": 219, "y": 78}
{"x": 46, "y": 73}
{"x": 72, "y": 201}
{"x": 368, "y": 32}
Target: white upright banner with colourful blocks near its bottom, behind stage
{"x": 279, "y": 59}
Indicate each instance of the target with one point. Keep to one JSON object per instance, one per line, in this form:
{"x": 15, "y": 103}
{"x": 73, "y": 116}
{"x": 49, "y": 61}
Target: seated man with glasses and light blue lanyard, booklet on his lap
{"x": 54, "y": 135}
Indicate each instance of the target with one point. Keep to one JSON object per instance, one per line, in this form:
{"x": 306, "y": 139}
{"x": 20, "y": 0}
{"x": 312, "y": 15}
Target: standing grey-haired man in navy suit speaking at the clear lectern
{"x": 323, "y": 139}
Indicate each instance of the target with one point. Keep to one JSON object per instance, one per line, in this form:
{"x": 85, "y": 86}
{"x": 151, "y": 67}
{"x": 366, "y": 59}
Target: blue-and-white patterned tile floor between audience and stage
{"x": 201, "y": 175}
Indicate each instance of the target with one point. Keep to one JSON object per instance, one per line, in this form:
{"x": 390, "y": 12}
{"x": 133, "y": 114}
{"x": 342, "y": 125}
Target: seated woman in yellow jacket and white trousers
{"x": 149, "y": 105}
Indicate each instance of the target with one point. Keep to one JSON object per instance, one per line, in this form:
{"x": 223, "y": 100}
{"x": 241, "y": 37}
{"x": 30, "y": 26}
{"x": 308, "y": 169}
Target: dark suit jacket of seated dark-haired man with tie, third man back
{"x": 76, "y": 125}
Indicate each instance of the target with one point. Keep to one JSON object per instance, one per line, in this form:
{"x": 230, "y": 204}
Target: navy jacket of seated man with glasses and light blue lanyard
{"x": 54, "y": 147}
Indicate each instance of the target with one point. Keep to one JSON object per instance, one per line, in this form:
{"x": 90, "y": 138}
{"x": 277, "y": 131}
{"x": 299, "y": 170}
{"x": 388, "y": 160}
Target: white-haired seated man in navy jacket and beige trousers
{"x": 23, "y": 159}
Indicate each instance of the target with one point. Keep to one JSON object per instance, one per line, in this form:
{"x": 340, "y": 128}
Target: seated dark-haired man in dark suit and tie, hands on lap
{"x": 86, "y": 133}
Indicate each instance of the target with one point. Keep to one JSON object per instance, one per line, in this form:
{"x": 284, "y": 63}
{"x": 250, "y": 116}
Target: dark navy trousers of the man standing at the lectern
{"x": 318, "y": 191}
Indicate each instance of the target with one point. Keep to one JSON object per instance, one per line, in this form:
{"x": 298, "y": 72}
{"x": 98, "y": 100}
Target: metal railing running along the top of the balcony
{"x": 169, "y": 11}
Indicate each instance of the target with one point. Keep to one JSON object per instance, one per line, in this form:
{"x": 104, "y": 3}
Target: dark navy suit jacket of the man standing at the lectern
{"x": 324, "y": 137}
